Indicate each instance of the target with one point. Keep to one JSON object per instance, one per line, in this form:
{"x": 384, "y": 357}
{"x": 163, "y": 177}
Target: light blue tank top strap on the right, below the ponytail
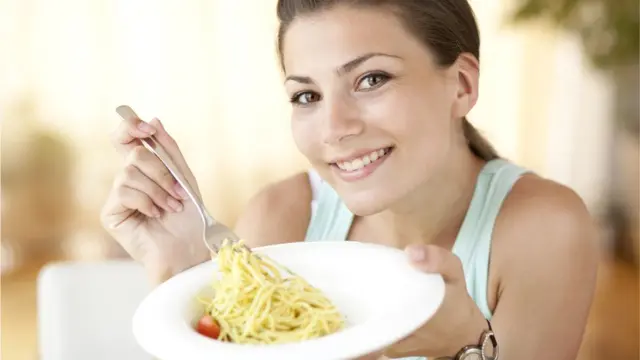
{"x": 473, "y": 243}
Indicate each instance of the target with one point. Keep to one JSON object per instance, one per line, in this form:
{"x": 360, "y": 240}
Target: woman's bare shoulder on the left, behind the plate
{"x": 279, "y": 213}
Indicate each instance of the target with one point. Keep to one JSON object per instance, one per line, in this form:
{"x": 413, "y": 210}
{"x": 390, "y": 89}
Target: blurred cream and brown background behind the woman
{"x": 559, "y": 94}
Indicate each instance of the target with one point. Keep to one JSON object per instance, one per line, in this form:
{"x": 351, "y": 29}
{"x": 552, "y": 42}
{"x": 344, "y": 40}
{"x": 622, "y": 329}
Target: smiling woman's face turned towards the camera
{"x": 371, "y": 110}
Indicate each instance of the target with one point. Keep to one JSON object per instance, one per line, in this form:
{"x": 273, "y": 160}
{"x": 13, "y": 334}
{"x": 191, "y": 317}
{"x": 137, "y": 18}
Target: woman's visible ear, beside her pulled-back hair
{"x": 468, "y": 69}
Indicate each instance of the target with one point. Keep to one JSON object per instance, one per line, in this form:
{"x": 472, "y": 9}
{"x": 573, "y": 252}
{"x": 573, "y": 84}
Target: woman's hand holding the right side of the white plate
{"x": 457, "y": 323}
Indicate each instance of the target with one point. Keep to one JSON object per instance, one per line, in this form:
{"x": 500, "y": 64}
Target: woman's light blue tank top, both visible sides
{"x": 331, "y": 219}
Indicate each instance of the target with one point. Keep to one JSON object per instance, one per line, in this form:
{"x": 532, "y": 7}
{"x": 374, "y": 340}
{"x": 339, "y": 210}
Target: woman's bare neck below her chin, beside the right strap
{"x": 434, "y": 212}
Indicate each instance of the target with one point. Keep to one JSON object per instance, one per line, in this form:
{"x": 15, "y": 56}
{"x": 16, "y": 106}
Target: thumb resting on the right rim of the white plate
{"x": 435, "y": 259}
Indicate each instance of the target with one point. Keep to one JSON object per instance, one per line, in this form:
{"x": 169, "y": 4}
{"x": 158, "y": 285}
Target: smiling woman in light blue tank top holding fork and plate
{"x": 380, "y": 91}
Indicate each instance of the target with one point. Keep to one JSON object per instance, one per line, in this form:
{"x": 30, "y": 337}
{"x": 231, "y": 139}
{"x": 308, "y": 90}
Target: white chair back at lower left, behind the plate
{"x": 85, "y": 310}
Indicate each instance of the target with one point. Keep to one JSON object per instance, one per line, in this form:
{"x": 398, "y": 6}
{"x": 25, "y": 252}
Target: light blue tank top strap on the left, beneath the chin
{"x": 330, "y": 217}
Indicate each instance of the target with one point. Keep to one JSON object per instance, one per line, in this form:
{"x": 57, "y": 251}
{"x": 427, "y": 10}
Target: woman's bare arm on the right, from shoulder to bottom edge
{"x": 546, "y": 254}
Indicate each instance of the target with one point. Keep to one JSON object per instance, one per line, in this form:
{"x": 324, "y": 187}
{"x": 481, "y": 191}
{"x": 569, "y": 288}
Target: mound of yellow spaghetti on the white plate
{"x": 255, "y": 303}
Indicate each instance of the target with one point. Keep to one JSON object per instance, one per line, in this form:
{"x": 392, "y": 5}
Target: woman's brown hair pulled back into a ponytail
{"x": 446, "y": 27}
